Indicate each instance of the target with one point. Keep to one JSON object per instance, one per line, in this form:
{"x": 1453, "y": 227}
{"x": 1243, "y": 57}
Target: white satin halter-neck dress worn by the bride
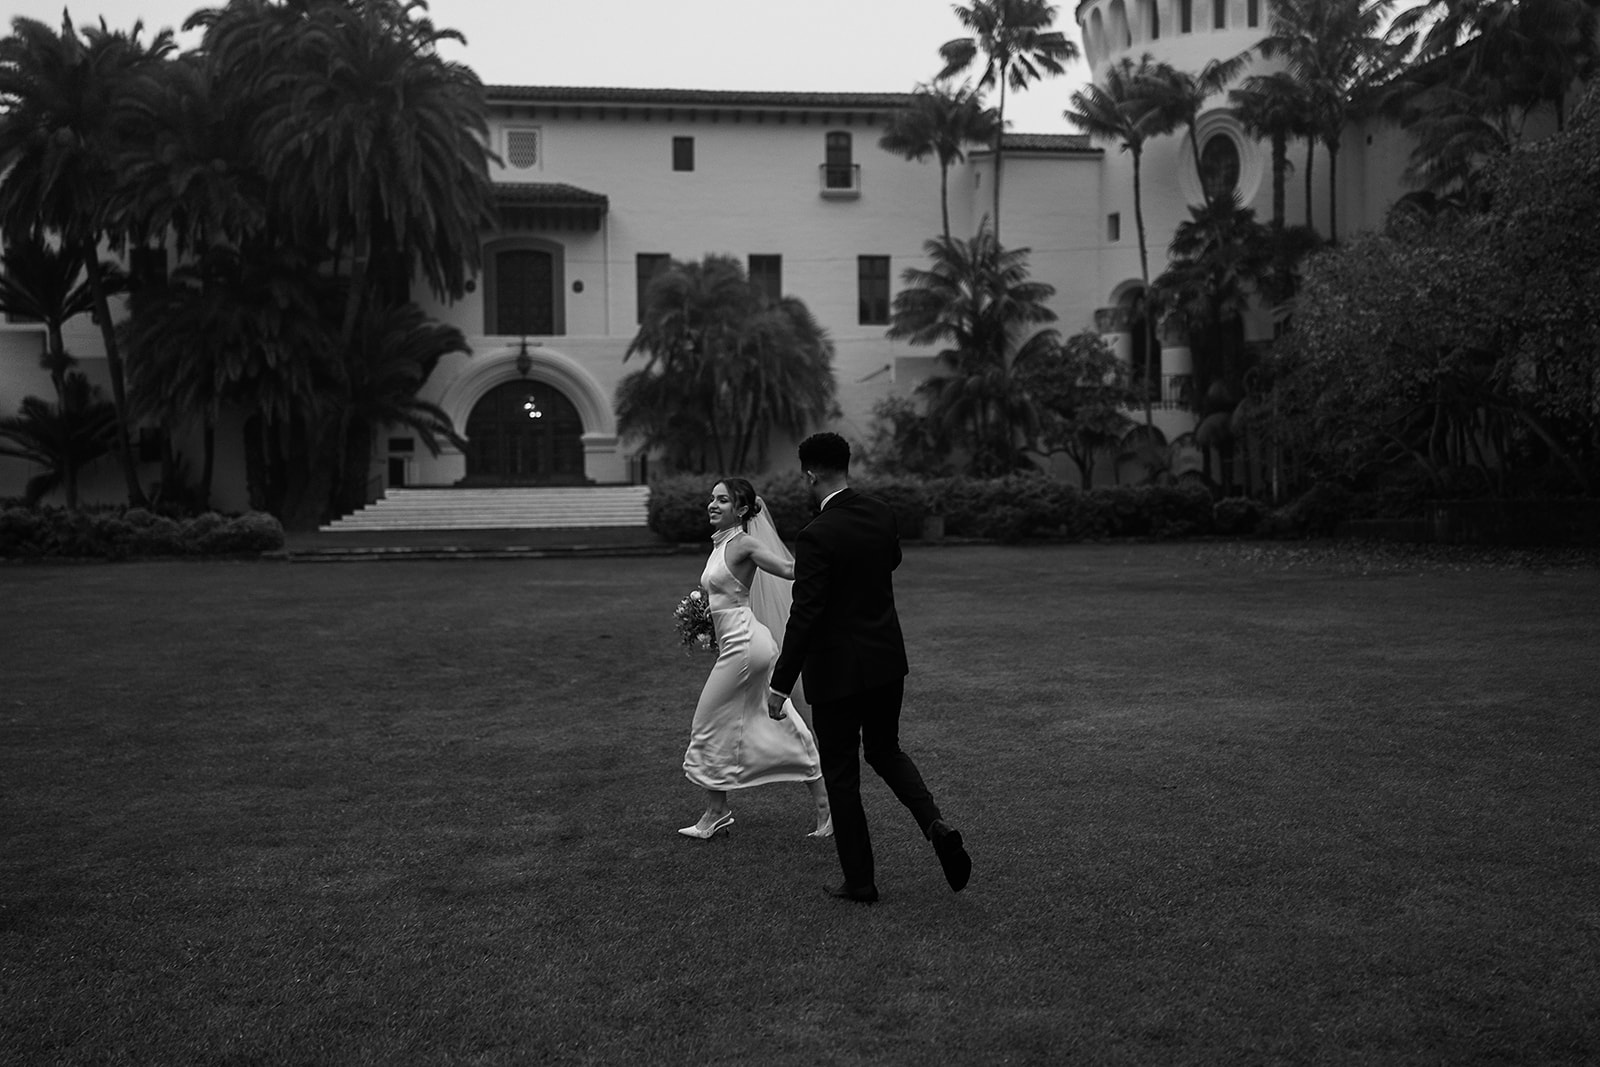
{"x": 734, "y": 741}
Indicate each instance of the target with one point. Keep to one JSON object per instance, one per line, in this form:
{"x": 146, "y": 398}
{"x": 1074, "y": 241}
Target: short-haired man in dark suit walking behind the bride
{"x": 846, "y": 636}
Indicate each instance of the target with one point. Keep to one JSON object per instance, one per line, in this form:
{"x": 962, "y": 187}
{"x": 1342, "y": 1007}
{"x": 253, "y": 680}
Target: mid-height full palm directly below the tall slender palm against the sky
{"x": 977, "y": 302}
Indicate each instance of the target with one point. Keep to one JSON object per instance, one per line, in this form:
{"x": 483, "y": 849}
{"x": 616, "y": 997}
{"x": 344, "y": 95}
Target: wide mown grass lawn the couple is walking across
{"x": 1223, "y": 809}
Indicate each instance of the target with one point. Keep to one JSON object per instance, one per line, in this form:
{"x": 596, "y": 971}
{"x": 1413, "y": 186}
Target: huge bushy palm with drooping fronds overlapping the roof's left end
{"x": 372, "y": 138}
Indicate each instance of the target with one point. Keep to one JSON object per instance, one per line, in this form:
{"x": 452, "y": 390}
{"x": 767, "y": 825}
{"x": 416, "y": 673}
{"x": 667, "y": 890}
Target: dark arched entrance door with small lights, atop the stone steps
{"x": 526, "y": 433}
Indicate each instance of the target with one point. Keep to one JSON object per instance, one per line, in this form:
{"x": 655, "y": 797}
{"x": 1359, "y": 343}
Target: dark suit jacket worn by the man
{"x": 842, "y": 631}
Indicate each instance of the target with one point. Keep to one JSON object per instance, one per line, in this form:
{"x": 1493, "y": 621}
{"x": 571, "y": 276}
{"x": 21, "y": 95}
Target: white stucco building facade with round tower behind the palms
{"x": 596, "y": 188}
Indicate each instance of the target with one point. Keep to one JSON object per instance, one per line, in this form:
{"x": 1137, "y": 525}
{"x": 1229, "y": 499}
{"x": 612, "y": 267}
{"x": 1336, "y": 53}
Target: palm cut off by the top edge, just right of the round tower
{"x": 1340, "y": 57}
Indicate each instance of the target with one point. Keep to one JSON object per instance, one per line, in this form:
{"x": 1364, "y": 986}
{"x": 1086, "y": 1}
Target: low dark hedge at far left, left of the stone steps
{"x": 134, "y": 533}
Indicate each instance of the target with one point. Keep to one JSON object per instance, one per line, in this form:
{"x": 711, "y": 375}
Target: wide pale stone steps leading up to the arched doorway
{"x": 546, "y": 508}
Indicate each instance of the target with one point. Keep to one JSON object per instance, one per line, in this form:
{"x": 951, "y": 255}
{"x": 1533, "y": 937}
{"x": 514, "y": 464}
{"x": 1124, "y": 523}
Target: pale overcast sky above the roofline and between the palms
{"x": 799, "y": 46}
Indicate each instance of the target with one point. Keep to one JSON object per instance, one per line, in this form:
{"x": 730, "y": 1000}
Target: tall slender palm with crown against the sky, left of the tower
{"x": 1018, "y": 47}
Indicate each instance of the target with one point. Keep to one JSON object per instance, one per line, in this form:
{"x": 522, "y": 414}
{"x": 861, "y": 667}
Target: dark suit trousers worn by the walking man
{"x": 866, "y": 722}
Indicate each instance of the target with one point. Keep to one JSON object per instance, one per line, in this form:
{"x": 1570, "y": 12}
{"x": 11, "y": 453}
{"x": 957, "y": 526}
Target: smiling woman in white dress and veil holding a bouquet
{"x": 734, "y": 743}
